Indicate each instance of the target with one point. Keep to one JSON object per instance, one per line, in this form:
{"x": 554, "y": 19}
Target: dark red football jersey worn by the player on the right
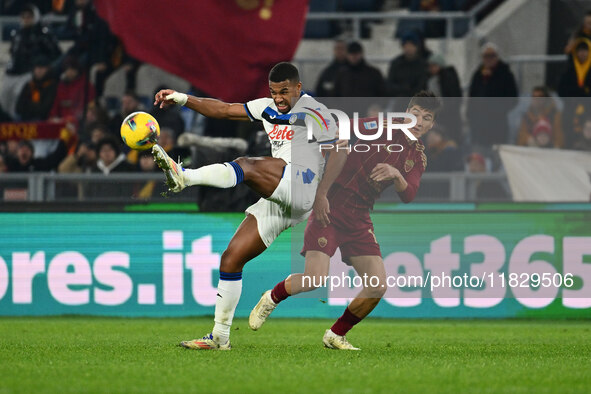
{"x": 354, "y": 183}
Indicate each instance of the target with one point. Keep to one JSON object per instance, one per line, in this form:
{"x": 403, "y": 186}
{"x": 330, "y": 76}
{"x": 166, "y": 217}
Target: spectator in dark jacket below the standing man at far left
{"x": 37, "y": 97}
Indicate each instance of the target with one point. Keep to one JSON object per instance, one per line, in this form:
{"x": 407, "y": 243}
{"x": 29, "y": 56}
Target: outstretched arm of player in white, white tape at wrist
{"x": 211, "y": 108}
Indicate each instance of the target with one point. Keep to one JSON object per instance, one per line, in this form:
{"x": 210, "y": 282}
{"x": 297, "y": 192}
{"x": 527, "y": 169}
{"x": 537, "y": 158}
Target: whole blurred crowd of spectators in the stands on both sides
{"x": 44, "y": 83}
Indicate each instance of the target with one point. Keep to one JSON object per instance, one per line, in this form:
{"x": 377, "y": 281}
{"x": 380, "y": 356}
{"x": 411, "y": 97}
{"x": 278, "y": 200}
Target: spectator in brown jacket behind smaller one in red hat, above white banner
{"x": 542, "y": 112}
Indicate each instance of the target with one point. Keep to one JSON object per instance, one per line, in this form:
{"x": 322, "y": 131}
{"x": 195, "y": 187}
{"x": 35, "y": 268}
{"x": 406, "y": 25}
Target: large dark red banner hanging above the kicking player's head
{"x": 223, "y": 47}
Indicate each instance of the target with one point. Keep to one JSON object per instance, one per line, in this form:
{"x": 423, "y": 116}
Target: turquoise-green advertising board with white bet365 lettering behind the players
{"x": 439, "y": 264}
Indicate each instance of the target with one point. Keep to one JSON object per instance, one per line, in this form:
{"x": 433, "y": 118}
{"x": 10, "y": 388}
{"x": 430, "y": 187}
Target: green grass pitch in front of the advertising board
{"x": 87, "y": 354}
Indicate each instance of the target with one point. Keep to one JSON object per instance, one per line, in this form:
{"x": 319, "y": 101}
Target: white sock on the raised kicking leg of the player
{"x": 217, "y": 175}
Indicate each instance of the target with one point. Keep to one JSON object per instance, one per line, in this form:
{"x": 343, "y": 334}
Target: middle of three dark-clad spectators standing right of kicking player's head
{"x": 408, "y": 72}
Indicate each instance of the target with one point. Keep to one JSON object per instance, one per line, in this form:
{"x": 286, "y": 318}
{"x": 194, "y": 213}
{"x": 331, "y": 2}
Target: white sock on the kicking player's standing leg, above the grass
{"x": 228, "y": 296}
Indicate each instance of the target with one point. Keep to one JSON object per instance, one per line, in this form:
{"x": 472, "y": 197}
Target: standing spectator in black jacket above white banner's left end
{"x": 488, "y": 117}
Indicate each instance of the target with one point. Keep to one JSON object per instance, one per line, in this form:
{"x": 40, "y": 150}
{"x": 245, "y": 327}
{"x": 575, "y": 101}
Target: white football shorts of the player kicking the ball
{"x": 286, "y": 207}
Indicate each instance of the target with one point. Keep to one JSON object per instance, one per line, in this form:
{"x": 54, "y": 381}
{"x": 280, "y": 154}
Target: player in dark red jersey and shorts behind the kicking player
{"x": 352, "y": 196}
